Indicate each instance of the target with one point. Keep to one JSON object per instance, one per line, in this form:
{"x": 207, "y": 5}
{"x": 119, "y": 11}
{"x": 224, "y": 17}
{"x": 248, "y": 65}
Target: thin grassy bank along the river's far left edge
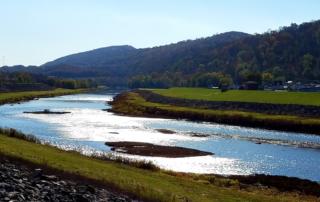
{"x": 29, "y": 95}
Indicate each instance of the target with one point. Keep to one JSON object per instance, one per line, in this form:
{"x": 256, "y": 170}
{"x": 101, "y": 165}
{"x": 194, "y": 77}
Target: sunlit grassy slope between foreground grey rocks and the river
{"x": 147, "y": 184}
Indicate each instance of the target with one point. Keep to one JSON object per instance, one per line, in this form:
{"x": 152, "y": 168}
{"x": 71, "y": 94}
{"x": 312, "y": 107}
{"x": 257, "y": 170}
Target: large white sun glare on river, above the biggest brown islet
{"x": 98, "y": 125}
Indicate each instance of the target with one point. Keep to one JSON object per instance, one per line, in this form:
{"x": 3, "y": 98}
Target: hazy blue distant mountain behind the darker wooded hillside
{"x": 126, "y": 61}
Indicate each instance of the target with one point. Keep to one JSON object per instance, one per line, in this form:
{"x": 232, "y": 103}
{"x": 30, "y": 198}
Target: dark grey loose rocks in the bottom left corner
{"x": 21, "y": 183}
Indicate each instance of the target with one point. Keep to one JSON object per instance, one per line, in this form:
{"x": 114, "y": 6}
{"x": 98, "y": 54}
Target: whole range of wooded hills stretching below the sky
{"x": 290, "y": 53}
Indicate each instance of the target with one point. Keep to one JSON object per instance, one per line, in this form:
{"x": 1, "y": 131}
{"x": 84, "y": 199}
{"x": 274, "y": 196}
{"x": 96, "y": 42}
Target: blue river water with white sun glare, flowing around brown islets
{"x": 88, "y": 127}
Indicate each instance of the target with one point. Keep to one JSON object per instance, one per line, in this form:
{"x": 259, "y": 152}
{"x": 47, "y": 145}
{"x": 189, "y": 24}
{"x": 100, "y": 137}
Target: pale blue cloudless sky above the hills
{"x": 33, "y": 32}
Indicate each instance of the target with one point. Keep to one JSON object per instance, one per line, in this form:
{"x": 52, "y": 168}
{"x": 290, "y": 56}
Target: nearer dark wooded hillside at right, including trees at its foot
{"x": 290, "y": 53}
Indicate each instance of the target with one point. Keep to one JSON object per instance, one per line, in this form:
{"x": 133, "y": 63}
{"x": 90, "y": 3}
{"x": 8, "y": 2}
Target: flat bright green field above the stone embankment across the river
{"x": 303, "y": 98}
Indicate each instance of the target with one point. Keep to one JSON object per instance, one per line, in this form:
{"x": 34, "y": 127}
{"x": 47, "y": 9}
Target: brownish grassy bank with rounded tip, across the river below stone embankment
{"x": 132, "y": 103}
